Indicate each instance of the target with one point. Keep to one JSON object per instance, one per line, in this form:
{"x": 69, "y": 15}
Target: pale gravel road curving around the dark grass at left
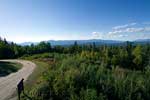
{"x": 8, "y": 84}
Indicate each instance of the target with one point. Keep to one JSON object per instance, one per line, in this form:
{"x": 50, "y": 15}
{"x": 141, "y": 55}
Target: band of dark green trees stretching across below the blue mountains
{"x": 126, "y": 56}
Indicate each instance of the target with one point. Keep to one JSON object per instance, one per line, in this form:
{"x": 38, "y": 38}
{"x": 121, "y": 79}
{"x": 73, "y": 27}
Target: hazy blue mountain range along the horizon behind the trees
{"x": 91, "y": 41}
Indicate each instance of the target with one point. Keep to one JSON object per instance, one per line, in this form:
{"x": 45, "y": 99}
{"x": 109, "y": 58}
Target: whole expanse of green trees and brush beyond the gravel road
{"x": 87, "y": 72}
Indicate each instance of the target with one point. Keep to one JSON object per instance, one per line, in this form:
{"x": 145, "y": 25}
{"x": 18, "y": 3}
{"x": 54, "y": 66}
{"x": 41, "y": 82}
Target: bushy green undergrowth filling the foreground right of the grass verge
{"x": 76, "y": 78}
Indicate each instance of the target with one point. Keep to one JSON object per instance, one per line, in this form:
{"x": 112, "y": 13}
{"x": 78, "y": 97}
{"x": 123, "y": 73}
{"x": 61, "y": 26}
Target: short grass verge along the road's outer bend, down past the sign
{"x": 43, "y": 62}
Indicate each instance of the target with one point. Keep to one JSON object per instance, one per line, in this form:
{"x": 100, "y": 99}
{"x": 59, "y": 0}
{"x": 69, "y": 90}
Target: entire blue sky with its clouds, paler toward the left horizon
{"x": 38, "y": 20}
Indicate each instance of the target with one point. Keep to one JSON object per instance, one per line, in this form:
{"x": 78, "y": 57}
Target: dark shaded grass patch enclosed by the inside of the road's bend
{"x": 7, "y": 68}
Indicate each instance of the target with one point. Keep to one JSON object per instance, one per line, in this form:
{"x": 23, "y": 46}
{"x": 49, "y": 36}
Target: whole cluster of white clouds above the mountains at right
{"x": 124, "y": 32}
